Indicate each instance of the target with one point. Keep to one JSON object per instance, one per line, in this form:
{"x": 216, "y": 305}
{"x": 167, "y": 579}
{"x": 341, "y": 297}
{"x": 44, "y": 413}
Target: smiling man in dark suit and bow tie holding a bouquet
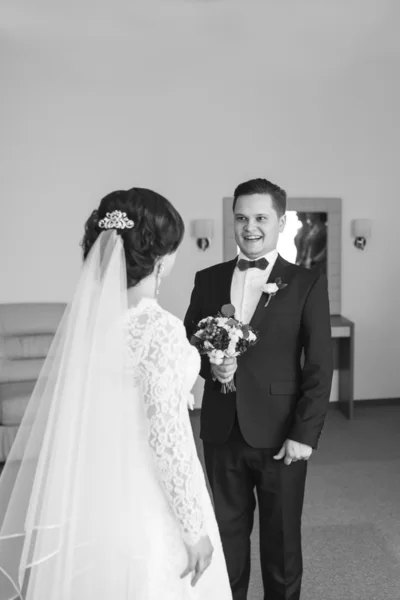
{"x": 259, "y": 438}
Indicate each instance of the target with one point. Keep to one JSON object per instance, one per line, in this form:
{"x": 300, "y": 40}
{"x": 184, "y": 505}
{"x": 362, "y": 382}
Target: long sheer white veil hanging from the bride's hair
{"x": 77, "y": 482}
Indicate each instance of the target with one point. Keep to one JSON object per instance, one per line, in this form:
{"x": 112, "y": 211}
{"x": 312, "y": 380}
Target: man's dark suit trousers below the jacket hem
{"x": 235, "y": 471}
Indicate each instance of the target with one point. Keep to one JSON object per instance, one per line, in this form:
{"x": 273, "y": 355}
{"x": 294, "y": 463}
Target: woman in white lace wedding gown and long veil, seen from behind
{"x": 103, "y": 496}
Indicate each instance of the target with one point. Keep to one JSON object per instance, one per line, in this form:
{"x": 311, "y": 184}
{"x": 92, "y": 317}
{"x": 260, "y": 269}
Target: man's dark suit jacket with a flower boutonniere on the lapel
{"x": 283, "y": 383}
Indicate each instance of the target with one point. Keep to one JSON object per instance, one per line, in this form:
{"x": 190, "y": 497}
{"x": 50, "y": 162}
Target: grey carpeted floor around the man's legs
{"x": 351, "y": 518}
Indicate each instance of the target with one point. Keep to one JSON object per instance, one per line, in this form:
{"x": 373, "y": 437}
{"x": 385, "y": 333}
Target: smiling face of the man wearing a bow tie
{"x": 257, "y": 225}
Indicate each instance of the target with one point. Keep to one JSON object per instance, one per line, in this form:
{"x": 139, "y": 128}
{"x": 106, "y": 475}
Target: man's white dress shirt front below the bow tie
{"x": 246, "y": 287}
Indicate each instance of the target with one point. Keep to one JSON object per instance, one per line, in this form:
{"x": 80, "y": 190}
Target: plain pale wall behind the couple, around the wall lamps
{"x": 190, "y": 99}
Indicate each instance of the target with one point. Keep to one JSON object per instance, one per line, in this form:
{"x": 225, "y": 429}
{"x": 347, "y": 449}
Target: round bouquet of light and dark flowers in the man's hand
{"x": 223, "y": 336}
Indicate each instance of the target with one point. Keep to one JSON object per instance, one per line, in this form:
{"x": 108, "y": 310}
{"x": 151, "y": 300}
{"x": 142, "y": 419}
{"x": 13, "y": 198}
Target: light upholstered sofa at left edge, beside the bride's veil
{"x": 26, "y": 333}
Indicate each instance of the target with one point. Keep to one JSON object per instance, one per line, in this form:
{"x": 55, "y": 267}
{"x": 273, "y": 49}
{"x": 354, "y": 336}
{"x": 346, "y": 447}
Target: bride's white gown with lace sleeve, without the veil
{"x": 165, "y": 365}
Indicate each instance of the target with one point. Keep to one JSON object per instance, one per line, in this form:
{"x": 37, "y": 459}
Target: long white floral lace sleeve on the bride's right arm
{"x": 162, "y": 369}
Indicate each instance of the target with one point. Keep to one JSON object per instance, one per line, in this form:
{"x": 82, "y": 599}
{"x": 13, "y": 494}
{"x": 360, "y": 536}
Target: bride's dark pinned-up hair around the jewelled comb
{"x": 157, "y": 231}
